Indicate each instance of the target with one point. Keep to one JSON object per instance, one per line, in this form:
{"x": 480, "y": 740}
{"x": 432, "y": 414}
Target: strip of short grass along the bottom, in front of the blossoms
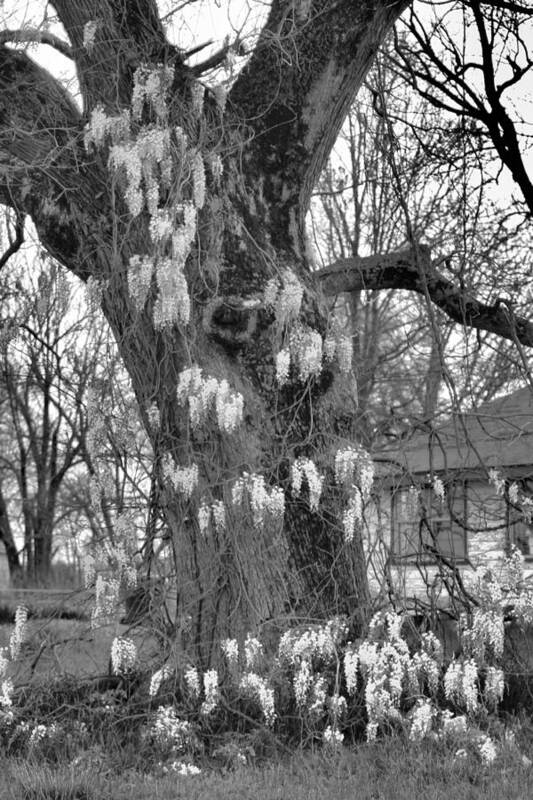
{"x": 387, "y": 770}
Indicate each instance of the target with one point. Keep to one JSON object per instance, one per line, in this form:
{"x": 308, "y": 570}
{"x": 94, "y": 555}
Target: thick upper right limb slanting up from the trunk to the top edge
{"x": 294, "y": 93}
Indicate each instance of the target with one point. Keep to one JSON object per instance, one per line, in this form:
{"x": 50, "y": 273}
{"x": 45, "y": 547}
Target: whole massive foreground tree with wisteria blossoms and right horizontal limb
{"x": 185, "y": 208}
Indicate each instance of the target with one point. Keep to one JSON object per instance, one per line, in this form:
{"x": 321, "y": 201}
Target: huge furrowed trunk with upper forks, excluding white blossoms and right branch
{"x": 280, "y": 122}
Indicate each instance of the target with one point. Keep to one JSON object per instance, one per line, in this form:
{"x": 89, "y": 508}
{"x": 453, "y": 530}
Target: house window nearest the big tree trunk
{"x": 419, "y": 527}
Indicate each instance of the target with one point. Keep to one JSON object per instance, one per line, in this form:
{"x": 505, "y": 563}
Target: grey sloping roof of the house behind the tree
{"x": 496, "y": 434}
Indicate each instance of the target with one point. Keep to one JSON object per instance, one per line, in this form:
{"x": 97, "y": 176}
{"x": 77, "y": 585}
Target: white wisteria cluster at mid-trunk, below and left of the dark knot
{"x": 202, "y": 394}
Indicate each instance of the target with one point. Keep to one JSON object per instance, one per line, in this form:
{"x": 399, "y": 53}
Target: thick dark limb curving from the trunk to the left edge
{"x": 42, "y": 168}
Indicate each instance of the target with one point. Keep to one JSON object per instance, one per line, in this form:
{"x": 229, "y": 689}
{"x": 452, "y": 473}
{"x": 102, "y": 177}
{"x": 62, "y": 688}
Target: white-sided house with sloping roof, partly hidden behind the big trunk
{"x": 463, "y": 489}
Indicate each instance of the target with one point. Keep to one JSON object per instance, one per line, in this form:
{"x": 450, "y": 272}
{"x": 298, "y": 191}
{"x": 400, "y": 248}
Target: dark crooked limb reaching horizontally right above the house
{"x": 415, "y": 273}
